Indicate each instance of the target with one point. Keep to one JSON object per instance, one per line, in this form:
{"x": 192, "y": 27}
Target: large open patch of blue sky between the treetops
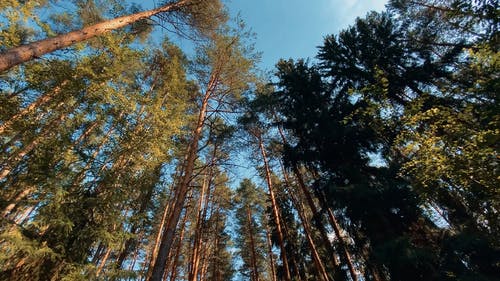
{"x": 294, "y": 28}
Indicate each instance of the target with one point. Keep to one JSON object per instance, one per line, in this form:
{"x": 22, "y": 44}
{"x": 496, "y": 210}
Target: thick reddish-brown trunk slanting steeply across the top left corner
{"x": 37, "y": 49}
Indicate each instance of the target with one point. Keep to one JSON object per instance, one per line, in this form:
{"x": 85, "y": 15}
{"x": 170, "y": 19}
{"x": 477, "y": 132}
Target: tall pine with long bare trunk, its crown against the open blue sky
{"x": 224, "y": 72}
